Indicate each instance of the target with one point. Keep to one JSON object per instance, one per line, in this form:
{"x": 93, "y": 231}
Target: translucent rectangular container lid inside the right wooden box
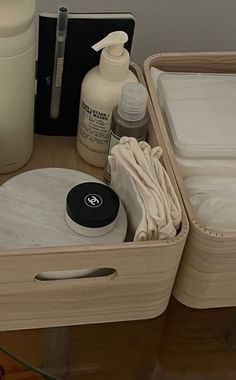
{"x": 201, "y": 113}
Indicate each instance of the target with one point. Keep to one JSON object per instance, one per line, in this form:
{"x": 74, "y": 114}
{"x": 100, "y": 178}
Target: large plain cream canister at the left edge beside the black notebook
{"x": 17, "y": 79}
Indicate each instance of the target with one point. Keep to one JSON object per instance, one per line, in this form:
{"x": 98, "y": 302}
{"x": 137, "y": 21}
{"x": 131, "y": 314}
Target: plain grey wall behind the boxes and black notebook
{"x": 167, "y": 25}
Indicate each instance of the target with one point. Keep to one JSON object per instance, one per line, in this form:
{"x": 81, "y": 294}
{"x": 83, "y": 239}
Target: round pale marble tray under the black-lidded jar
{"x": 32, "y": 209}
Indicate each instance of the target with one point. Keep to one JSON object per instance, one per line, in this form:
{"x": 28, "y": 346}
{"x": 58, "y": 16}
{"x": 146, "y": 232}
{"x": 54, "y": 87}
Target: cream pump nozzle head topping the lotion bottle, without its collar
{"x": 114, "y": 41}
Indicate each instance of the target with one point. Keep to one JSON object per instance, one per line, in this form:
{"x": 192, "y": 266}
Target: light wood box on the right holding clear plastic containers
{"x": 207, "y": 274}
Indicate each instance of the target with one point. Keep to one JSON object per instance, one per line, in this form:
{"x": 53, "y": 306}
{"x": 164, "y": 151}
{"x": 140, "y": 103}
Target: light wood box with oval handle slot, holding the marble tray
{"x": 145, "y": 270}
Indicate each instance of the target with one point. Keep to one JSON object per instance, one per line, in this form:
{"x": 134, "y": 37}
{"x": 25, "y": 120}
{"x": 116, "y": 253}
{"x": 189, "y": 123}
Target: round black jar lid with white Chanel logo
{"x": 92, "y": 205}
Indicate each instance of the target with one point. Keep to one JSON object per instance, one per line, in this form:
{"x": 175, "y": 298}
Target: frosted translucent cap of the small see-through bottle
{"x": 133, "y": 102}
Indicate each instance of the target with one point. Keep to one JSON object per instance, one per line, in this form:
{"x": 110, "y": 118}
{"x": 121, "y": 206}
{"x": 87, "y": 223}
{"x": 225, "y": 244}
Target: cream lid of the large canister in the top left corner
{"x": 16, "y": 16}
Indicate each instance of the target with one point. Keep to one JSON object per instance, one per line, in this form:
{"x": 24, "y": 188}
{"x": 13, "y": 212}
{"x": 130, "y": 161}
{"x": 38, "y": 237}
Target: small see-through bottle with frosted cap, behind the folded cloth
{"x": 129, "y": 118}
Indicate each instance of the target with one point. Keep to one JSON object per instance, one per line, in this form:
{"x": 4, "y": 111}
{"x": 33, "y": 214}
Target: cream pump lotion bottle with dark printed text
{"x": 100, "y": 92}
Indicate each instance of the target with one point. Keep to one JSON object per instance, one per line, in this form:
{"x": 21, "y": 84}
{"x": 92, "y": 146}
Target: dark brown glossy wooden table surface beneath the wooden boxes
{"x": 181, "y": 344}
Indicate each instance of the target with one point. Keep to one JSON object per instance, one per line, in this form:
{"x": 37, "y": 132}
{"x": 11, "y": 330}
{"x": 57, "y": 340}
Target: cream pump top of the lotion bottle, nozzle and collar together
{"x": 114, "y": 60}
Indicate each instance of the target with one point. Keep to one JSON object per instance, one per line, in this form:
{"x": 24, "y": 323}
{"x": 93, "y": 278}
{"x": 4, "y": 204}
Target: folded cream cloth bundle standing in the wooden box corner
{"x": 144, "y": 187}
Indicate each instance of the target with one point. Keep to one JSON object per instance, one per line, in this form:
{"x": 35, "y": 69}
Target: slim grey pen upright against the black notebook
{"x": 61, "y": 32}
